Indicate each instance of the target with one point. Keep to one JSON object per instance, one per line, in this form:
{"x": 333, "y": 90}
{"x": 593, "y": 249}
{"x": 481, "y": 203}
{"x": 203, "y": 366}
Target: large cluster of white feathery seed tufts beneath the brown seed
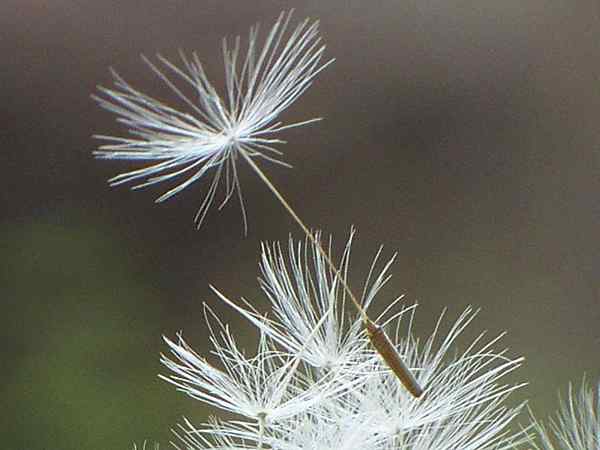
{"x": 315, "y": 382}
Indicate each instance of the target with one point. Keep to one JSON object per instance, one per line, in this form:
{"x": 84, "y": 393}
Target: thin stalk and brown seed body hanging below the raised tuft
{"x": 376, "y": 334}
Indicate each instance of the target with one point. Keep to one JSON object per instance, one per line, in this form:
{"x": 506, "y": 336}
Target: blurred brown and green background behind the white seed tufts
{"x": 463, "y": 135}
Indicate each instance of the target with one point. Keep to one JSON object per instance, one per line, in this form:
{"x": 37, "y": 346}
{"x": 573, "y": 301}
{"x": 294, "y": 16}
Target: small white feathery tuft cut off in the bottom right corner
{"x": 577, "y": 423}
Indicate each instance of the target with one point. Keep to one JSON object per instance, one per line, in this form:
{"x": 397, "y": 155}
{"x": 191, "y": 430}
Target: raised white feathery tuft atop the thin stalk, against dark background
{"x": 214, "y": 131}
